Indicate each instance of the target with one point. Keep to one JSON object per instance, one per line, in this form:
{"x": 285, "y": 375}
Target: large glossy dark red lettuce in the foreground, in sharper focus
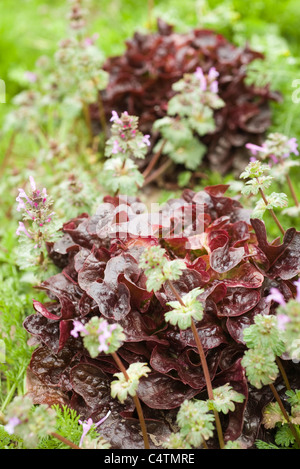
{"x": 227, "y": 257}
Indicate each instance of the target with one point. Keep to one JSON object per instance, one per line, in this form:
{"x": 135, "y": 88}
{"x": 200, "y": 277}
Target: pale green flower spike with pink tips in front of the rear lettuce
{"x": 190, "y": 115}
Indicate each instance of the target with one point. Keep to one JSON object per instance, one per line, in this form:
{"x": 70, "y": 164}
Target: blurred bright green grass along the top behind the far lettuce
{"x": 31, "y": 28}
